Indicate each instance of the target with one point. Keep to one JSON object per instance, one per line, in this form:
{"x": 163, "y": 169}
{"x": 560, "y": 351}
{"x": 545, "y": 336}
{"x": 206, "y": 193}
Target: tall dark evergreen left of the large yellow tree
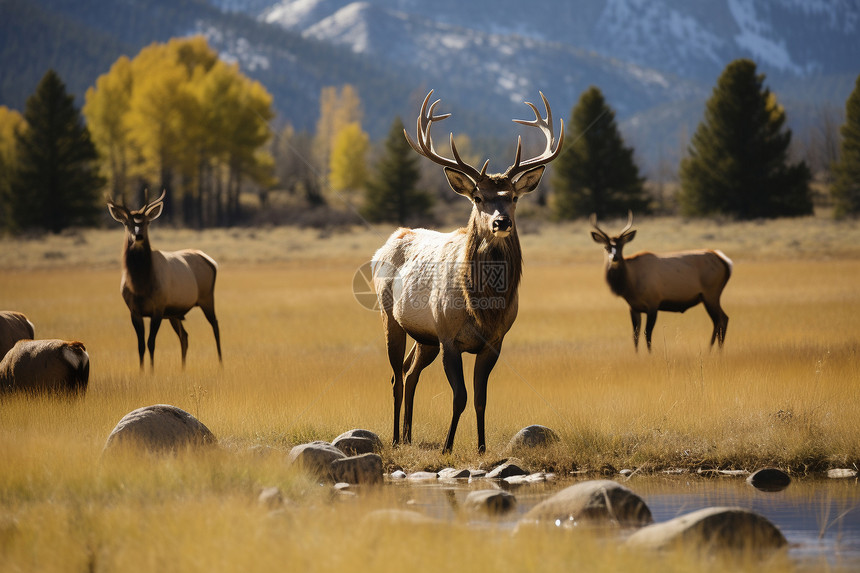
{"x": 56, "y": 182}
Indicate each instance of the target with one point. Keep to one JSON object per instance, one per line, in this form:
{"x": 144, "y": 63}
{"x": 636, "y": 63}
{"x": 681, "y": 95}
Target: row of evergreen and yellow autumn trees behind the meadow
{"x": 176, "y": 117}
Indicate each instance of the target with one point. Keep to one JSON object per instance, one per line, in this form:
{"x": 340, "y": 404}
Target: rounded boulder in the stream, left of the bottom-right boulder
{"x": 595, "y": 502}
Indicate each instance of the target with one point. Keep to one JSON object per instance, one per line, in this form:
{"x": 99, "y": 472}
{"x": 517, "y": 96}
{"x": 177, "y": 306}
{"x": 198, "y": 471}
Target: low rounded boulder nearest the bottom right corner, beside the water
{"x": 712, "y": 528}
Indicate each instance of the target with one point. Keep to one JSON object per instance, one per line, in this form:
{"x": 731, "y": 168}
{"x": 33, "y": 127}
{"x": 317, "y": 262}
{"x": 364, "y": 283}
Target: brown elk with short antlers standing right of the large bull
{"x": 672, "y": 282}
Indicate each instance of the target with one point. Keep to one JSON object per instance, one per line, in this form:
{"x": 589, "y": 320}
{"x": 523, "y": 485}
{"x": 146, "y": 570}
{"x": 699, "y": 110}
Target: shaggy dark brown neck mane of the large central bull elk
{"x": 490, "y": 276}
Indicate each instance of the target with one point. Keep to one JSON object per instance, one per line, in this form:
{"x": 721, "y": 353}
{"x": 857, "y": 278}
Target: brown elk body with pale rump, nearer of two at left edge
{"x": 39, "y": 366}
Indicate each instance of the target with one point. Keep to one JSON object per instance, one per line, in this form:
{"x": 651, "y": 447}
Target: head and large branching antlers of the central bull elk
{"x": 494, "y": 196}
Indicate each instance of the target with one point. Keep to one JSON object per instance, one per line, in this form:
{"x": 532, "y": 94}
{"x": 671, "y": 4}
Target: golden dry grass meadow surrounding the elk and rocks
{"x": 303, "y": 360}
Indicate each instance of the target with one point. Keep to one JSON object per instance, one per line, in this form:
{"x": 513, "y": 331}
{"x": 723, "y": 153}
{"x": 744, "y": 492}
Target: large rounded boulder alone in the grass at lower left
{"x": 160, "y": 428}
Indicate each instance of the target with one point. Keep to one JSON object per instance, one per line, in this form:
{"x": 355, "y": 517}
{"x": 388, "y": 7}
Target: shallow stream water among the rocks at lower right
{"x": 819, "y": 518}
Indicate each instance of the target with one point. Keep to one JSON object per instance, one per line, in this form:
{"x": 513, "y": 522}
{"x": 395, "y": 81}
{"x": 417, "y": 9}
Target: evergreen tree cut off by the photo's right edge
{"x": 846, "y": 188}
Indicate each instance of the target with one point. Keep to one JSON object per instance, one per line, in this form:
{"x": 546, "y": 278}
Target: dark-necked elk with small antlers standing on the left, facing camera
{"x": 162, "y": 284}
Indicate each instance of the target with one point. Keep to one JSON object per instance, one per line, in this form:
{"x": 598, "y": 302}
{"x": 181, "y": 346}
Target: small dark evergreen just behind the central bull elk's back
{"x": 391, "y": 193}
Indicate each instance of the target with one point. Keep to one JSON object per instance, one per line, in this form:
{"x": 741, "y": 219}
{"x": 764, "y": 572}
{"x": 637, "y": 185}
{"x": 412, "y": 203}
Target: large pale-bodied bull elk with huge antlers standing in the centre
{"x": 457, "y": 291}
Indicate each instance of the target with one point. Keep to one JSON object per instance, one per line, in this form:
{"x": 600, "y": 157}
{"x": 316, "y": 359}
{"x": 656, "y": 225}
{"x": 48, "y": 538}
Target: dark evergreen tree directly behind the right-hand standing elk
{"x": 596, "y": 172}
